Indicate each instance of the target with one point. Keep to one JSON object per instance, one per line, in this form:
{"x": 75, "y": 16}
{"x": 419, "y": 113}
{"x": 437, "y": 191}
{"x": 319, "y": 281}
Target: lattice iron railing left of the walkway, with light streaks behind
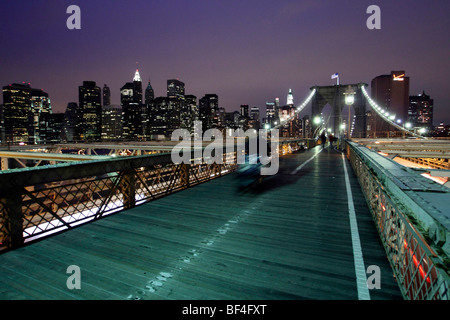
{"x": 41, "y": 201}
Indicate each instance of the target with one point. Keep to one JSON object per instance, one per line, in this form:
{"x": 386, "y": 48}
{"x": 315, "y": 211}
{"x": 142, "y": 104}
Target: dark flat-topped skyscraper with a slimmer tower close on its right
{"x": 90, "y": 108}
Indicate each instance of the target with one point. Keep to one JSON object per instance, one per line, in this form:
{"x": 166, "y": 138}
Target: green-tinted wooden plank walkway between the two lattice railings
{"x": 287, "y": 239}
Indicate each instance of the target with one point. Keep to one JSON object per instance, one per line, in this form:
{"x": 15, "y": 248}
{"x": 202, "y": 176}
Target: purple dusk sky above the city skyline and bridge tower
{"x": 246, "y": 51}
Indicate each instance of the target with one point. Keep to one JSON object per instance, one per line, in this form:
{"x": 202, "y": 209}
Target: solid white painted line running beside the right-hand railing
{"x": 361, "y": 280}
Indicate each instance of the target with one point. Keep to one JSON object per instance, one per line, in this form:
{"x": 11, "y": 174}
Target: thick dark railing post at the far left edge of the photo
{"x": 13, "y": 218}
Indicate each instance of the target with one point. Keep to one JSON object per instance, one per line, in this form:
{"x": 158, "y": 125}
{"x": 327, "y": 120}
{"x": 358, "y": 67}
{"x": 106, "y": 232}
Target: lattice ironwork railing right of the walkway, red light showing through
{"x": 416, "y": 265}
